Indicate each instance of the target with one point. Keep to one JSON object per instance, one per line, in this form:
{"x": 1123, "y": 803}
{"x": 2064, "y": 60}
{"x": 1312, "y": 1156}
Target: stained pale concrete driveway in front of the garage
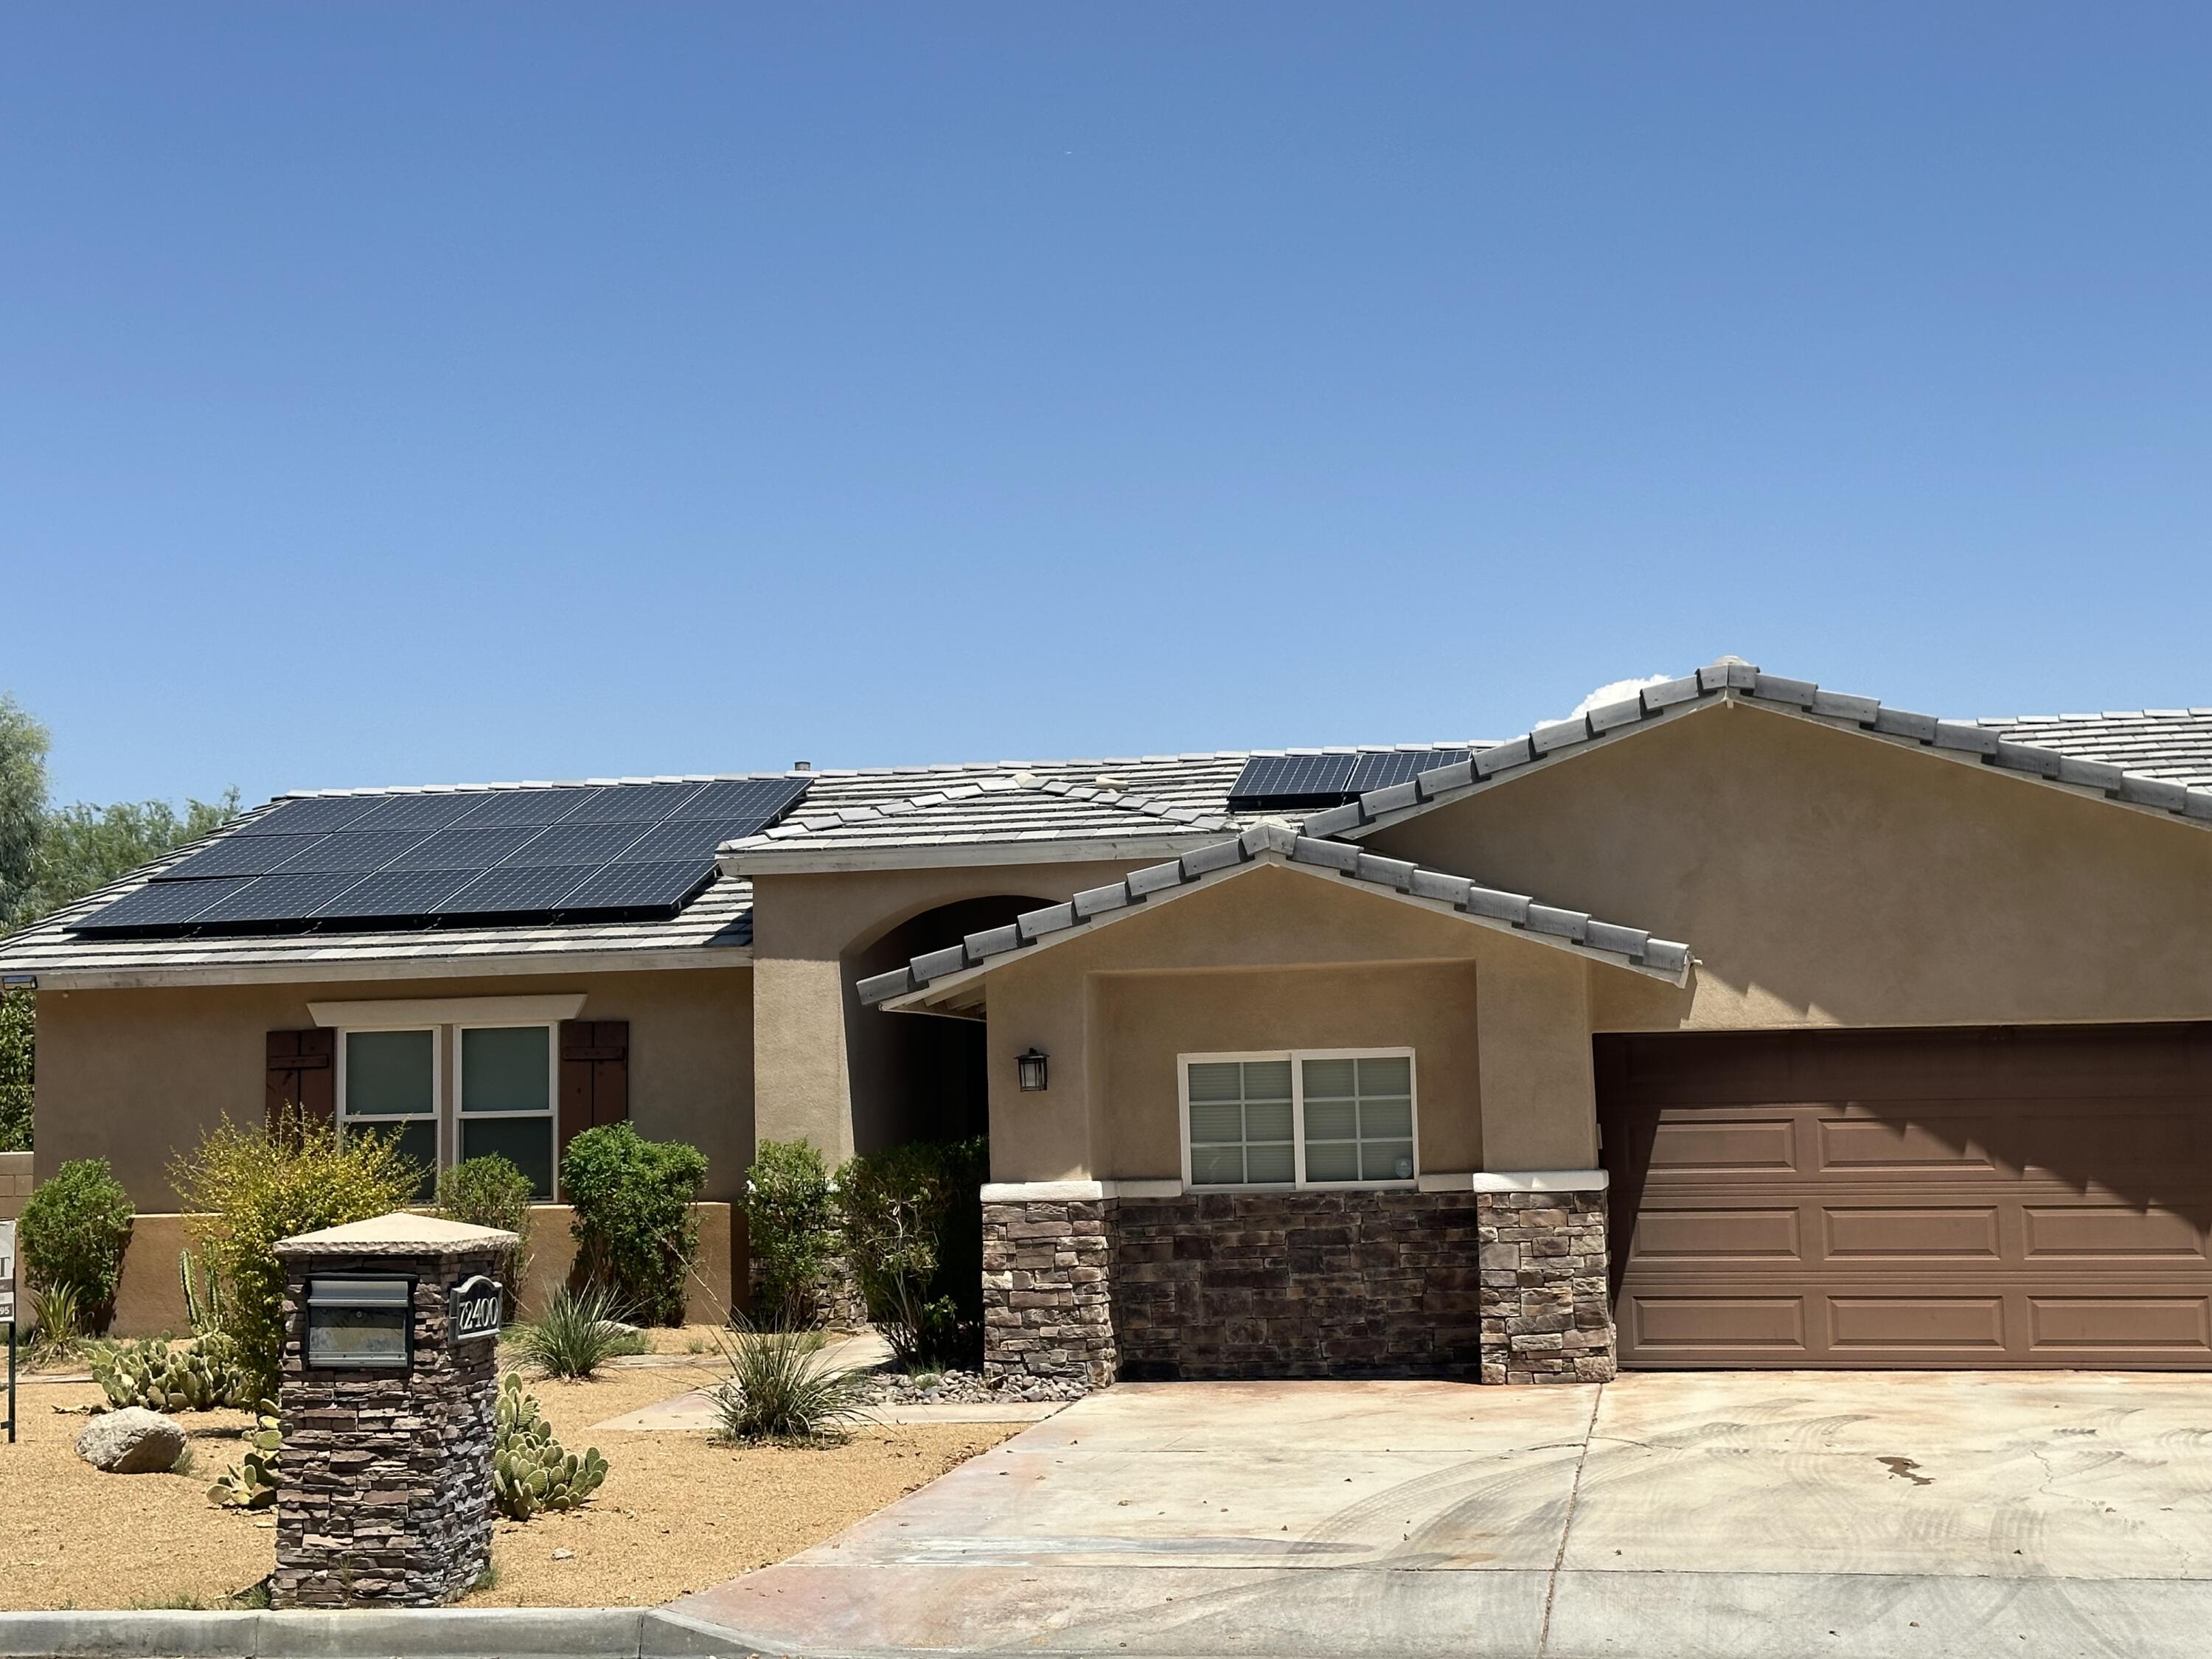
{"x": 1735, "y": 1514}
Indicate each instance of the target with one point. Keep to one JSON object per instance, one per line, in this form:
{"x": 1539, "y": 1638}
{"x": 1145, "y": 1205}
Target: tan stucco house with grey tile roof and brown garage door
{"x": 1731, "y": 1023}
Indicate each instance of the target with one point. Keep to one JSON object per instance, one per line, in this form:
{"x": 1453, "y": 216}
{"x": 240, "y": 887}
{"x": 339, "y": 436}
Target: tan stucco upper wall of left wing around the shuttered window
{"x": 138, "y": 1076}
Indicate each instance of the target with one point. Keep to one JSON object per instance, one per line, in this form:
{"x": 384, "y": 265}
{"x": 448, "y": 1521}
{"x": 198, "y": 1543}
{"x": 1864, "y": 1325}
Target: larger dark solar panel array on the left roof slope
{"x": 459, "y": 857}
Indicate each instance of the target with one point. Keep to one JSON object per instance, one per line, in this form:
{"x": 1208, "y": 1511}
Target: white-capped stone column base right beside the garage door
{"x": 1545, "y": 1306}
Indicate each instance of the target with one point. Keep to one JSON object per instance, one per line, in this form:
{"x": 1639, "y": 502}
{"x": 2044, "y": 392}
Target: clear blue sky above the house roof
{"x": 503, "y": 393}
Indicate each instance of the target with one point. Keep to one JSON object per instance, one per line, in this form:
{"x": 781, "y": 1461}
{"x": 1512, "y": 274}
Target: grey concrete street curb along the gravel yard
{"x": 366, "y": 1634}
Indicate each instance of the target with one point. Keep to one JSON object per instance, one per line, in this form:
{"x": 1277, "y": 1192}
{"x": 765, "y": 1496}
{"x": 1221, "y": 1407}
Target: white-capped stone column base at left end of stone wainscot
{"x": 1047, "y": 1306}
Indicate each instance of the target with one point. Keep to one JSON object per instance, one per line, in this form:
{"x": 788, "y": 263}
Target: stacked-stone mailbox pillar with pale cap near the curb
{"x": 388, "y": 1404}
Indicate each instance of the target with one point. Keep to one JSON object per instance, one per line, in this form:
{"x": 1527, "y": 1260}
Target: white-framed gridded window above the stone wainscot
{"x": 1300, "y": 1118}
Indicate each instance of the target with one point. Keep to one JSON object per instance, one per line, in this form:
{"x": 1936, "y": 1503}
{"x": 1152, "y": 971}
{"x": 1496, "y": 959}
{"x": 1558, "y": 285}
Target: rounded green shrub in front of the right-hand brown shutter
{"x": 634, "y": 1224}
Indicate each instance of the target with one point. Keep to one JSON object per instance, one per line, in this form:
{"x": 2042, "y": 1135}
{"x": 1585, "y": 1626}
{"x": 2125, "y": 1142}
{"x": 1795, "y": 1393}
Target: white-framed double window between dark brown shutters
{"x": 505, "y": 1092}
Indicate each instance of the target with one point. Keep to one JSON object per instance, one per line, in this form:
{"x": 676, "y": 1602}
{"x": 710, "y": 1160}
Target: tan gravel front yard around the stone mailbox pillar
{"x": 674, "y": 1516}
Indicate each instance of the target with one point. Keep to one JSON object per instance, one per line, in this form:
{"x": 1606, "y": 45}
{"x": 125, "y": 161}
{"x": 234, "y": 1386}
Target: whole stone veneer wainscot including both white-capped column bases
{"x": 1494, "y": 1282}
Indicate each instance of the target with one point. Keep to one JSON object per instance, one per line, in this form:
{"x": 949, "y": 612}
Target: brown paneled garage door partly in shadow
{"x": 2021, "y": 1198}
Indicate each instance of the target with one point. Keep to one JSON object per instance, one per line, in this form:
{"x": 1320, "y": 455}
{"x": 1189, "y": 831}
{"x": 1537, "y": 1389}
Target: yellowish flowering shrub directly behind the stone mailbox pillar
{"x": 251, "y": 1187}
